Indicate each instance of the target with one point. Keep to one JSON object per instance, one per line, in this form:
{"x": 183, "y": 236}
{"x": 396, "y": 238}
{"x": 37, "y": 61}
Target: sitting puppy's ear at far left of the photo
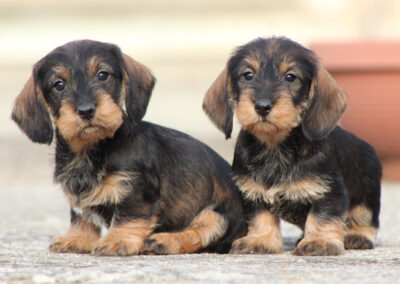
{"x": 31, "y": 114}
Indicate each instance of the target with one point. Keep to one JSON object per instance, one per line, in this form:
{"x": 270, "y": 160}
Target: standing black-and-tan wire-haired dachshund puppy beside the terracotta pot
{"x": 291, "y": 160}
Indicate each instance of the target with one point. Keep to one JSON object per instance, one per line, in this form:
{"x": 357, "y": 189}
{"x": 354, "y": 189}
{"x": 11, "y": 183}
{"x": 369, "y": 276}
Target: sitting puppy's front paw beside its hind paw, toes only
{"x": 114, "y": 246}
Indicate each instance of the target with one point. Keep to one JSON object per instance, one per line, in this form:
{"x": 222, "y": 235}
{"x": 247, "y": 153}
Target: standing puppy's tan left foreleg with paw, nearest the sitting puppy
{"x": 264, "y": 236}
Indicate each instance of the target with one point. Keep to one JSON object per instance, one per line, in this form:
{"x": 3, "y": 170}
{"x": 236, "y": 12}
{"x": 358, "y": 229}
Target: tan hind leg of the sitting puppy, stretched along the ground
{"x": 207, "y": 227}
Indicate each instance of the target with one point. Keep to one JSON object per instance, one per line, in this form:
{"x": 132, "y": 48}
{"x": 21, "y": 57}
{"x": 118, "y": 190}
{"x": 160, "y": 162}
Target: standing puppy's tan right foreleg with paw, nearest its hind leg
{"x": 321, "y": 238}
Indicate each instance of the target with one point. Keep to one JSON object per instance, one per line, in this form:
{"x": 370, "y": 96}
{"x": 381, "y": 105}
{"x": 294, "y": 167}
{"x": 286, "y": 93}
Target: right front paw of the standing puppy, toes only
{"x": 318, "y": 248}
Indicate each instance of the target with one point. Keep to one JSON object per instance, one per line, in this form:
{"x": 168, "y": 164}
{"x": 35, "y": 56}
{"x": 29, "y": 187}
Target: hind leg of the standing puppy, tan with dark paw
{"x": 360, "y": 232}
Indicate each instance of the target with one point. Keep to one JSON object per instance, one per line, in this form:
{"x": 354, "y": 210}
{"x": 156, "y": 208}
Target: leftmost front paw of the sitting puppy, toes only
{"x": 71, "y": 244}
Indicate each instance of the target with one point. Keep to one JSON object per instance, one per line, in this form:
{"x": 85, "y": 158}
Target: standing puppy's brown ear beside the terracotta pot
{"x": 327, "y": 105}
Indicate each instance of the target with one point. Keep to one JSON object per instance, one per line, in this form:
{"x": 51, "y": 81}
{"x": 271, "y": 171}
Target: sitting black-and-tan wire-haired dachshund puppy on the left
{"x": 157, "y": 190}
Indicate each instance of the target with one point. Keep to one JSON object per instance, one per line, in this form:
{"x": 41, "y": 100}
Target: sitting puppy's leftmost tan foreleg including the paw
{"x": 80, "y": 238}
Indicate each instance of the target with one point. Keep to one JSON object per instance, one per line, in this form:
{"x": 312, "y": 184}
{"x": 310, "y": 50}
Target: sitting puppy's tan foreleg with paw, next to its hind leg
{"x": 124, "y": 239}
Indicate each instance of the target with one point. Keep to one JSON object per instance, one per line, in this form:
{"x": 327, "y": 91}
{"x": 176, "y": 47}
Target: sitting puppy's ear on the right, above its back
{"x": 139, "y": 84}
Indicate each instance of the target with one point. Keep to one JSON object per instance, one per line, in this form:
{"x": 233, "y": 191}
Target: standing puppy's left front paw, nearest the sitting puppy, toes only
{"x": 256, "y": 245}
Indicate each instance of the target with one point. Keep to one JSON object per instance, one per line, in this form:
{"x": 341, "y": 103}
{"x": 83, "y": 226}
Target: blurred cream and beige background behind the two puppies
{"x": 185, "y": 43}
